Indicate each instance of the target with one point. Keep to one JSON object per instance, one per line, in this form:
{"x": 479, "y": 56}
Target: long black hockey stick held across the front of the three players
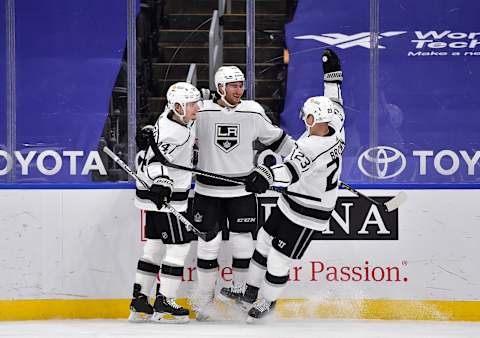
{"x": 163, "y": 160}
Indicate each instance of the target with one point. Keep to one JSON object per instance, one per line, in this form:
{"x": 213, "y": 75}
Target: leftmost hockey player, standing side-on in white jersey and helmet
{"x": 168, "y": 242}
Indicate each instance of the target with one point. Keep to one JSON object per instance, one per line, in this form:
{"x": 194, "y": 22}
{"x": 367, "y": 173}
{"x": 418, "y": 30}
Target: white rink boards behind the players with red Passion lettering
{"x": 84, "y": 244}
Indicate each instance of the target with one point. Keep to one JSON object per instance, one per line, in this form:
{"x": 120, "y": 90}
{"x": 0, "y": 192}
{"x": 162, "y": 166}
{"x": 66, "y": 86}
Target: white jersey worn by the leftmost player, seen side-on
{"x": 175, "y": 141}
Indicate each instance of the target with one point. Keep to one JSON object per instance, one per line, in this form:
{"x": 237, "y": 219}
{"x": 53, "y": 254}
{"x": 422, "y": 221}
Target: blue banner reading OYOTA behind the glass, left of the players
{"x": 68, "y": 55}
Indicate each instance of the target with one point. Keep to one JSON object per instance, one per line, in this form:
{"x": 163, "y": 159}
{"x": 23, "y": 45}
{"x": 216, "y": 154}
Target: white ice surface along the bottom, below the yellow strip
{"x": 238, "y": 329}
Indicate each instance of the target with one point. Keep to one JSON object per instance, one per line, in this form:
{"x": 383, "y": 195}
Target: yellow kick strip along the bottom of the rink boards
{"x": 286, "y": 308}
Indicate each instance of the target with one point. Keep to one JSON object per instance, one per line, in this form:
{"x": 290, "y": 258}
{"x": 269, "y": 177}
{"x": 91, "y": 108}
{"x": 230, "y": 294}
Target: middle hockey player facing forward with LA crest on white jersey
{"x": 226, "y": 129}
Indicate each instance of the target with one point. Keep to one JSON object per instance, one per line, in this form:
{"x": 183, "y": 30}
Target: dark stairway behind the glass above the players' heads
{"x": 179, "y": 46}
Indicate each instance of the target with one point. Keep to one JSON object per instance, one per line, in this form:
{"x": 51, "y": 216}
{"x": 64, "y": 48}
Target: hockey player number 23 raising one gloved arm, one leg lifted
{"x": 312, "y": 168}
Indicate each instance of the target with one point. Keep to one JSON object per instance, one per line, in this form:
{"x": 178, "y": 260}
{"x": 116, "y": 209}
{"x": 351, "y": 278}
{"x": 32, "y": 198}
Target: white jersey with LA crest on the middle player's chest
{"x": 225, "y": 144}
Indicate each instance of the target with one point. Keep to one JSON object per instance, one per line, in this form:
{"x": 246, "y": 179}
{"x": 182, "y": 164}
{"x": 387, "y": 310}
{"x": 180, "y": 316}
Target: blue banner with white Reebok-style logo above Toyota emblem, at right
{"x": 412, "y": 108}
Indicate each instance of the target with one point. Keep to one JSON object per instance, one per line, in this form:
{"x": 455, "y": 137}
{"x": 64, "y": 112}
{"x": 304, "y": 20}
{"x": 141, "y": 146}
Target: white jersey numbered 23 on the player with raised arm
{"x": 314, "y": 166}
